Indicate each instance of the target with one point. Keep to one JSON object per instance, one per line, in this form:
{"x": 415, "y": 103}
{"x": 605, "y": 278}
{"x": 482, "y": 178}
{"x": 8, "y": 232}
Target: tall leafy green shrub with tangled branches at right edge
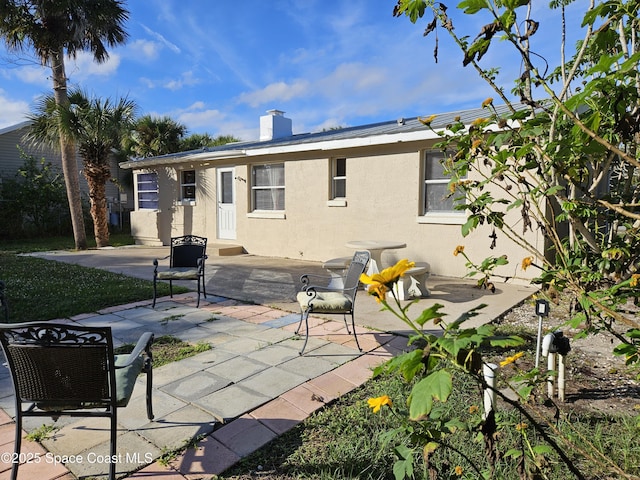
{"x": 566, "y": 155}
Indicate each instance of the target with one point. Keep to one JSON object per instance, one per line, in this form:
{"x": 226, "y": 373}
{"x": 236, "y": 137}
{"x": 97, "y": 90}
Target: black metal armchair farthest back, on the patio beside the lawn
{"x": 187, "y": 257}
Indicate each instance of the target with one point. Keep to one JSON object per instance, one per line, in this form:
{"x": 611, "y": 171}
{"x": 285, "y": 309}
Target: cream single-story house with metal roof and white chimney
{"x": 304, "y": 196}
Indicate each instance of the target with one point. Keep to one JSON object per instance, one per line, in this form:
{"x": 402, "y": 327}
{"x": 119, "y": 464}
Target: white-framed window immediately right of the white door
{"x": 267, "y": 187}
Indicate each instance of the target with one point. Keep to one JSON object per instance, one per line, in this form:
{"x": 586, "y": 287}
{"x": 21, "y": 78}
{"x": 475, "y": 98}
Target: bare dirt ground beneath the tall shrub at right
{"x": 596, "y": 379}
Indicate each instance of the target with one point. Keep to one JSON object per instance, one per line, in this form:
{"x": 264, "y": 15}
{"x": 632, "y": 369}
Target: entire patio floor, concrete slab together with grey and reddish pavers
{"x": 250, "y": 387}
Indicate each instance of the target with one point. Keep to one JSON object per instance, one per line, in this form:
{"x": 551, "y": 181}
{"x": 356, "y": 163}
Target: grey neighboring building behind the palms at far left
{"x": 12, "y": 140}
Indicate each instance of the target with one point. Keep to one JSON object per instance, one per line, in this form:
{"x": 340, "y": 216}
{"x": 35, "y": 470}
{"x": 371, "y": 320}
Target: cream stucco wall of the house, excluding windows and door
{"x": 383, "y": 202}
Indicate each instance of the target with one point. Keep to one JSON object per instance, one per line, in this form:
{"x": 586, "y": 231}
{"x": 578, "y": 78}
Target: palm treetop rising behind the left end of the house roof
{"x": 153, "y": 136}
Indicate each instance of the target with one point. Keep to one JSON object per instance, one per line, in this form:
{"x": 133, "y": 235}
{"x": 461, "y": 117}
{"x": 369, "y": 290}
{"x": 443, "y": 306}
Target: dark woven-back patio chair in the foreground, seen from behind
{"x": 60, "y": 369}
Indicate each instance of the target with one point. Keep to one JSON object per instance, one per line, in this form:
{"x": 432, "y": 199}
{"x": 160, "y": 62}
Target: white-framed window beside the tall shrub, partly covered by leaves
{"x": 437, "y": 197}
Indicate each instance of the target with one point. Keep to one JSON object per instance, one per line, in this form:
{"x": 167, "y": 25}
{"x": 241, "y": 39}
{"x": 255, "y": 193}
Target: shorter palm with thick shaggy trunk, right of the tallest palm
{"x": 98, "y": 128}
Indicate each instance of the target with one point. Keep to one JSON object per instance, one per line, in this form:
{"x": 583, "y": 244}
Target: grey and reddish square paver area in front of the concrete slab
{"x": 249, "y": 388}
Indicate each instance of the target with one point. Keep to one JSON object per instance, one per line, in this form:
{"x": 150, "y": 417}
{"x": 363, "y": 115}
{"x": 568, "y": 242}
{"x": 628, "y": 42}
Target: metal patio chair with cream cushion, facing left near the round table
{"x": 327, "y": 300}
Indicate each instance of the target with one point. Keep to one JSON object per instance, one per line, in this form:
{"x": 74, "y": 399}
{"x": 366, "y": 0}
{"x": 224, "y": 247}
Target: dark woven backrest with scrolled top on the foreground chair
{"x": 60, "y": 364}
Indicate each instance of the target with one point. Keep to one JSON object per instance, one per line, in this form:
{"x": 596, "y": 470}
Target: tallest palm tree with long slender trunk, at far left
{"x": 53, "y": 29}
